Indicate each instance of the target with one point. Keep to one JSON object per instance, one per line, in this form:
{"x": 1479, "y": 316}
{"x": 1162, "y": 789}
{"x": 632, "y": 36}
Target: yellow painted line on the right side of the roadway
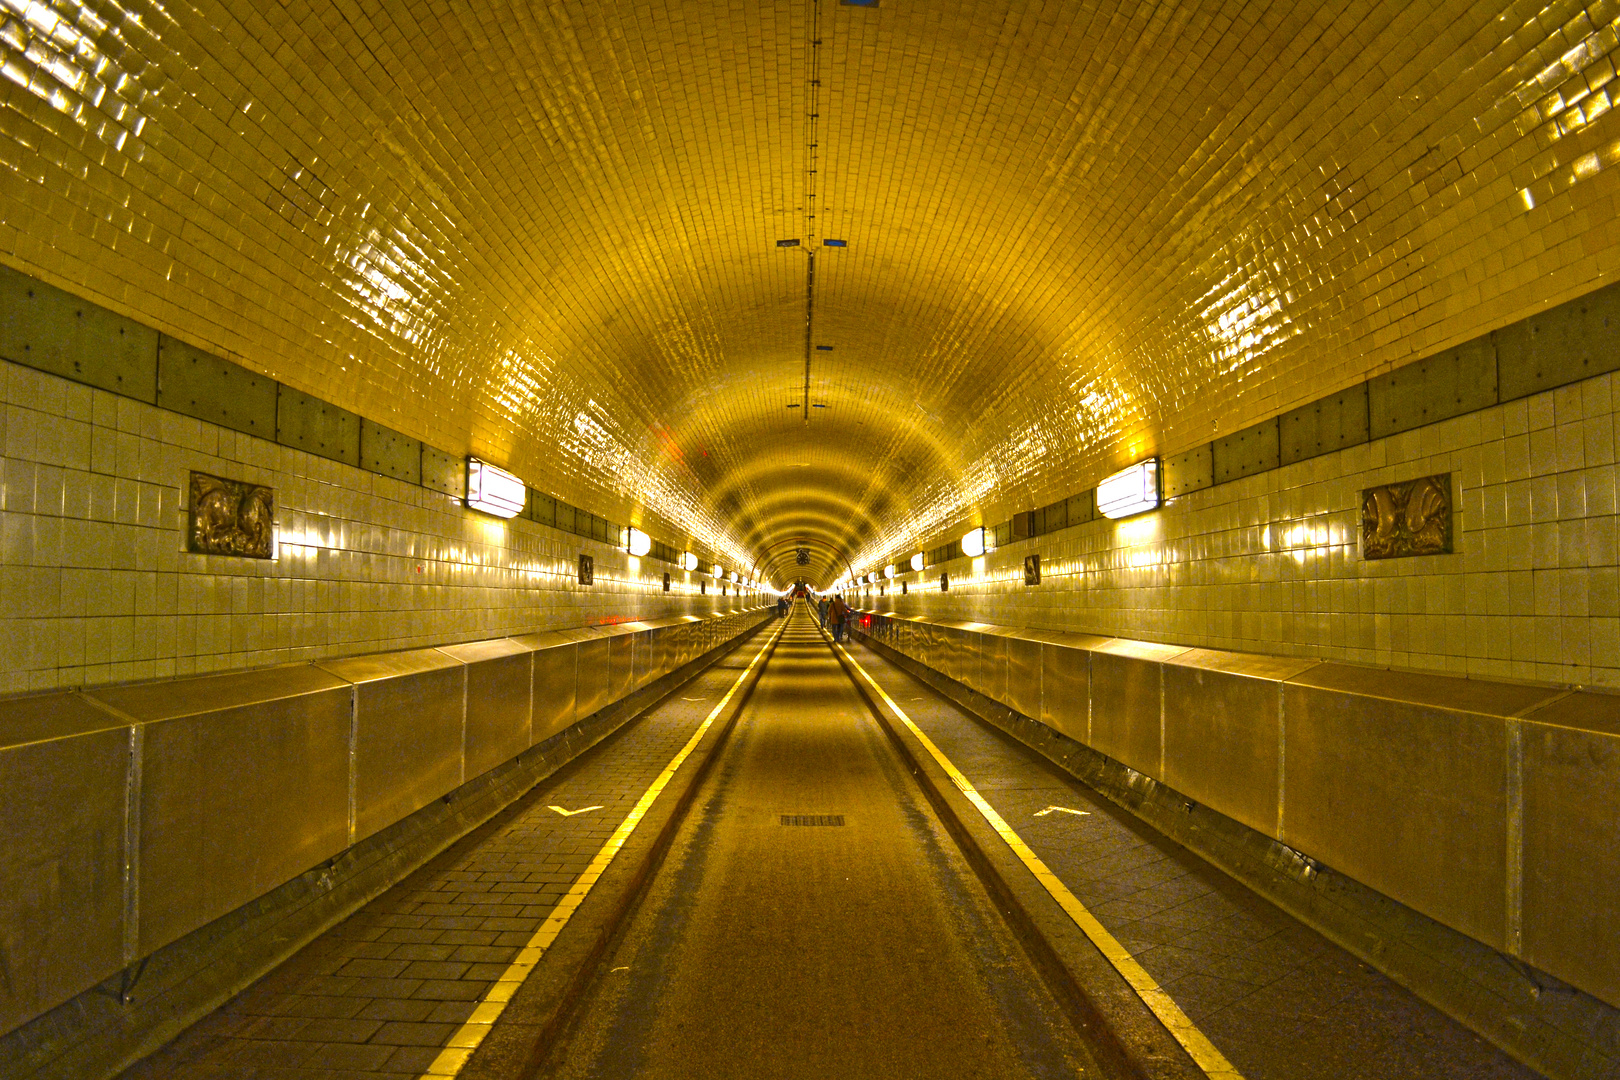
{"x": 1153, "y": 995}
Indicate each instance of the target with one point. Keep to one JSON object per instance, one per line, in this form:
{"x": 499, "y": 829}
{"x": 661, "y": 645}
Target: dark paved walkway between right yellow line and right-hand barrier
{"x": 1277, "y": 1000}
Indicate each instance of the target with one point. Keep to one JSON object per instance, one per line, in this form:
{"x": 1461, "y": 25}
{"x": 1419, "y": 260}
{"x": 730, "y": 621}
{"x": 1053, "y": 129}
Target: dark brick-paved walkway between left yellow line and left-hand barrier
{"x": 380, "y": 995}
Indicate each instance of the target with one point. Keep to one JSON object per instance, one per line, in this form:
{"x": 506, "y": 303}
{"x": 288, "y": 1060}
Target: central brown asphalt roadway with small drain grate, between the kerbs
{"x": 814, "y": 921}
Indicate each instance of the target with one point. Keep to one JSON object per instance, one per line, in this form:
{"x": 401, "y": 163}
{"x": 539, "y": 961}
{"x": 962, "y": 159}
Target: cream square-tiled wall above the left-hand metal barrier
{"x": 96, "y": 585}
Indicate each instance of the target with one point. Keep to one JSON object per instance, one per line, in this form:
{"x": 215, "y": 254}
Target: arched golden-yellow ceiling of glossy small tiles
{"x": 1076, "y": 232}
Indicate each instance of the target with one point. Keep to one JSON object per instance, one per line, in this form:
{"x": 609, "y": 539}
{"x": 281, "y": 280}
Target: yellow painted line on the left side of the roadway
{"x": 479, "y": 1026}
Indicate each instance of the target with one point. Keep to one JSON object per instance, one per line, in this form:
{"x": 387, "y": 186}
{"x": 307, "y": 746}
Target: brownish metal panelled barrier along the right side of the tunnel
{"x": 1491, "y": 807}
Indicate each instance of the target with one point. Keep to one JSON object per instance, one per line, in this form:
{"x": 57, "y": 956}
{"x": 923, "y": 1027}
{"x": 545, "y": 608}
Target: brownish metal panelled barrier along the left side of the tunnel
{"x": 135, "y": 815}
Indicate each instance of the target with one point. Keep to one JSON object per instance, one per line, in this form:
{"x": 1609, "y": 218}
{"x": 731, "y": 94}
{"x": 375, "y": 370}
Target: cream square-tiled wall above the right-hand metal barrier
{"x": 1271, "y": 564}
